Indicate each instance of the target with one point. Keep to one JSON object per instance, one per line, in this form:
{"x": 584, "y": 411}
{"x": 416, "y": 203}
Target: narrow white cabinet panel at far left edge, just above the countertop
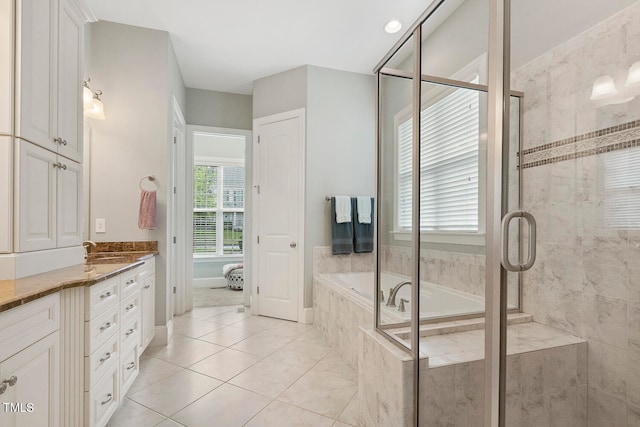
{"x": 6, "y": 194}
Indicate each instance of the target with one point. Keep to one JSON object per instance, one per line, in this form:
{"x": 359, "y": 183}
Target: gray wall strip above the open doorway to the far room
{"x": 218, "y": 109}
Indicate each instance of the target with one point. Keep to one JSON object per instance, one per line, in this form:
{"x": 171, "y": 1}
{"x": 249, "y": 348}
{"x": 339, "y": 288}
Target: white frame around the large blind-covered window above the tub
{"x": 477, "y": 67}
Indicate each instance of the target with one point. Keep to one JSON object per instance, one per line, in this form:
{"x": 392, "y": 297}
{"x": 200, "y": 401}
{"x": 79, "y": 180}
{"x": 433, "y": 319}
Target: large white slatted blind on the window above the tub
{"x": 449, "y": 132}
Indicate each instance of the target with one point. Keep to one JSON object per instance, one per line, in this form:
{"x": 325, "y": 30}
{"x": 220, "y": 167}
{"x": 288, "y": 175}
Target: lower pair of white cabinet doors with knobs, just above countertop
{"x": 48, "y": 195}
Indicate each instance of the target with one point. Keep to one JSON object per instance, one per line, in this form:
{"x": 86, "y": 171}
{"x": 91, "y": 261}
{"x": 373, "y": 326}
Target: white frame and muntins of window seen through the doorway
{"x": 219, "y": 210}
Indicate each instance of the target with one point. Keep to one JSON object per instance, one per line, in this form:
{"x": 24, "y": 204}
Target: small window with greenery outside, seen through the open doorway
{"x": 218, "y": 208}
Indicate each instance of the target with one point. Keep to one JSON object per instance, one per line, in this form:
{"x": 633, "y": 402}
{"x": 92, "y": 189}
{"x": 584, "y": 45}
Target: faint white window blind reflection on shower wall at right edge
{"x": 622, "y": 188}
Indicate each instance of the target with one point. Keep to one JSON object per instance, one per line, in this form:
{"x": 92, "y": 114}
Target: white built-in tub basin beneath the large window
{"x": 436, "y": 301}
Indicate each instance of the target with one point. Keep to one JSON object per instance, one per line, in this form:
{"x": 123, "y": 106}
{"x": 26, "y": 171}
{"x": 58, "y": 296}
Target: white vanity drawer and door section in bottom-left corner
{"x": 30, "y": 364}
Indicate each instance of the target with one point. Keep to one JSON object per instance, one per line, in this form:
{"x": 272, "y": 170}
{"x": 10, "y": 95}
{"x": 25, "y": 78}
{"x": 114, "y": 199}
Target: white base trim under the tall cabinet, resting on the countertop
{"x": 19, "y": 265}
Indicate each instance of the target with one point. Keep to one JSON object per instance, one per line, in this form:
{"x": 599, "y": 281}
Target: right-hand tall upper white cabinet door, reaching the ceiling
{"x": 69, "y": 107}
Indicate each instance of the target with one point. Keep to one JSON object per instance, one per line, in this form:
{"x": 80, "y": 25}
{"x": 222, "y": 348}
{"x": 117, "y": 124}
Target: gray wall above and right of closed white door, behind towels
{"x": 340, "y": 140}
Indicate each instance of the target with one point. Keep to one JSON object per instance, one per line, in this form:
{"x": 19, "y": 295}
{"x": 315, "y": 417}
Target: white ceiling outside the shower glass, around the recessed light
{"x": 225, "y": 45}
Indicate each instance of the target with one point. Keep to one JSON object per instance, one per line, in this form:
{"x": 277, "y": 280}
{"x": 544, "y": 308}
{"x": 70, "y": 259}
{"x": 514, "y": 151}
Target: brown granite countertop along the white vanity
{"x": 101, "y": 266}
